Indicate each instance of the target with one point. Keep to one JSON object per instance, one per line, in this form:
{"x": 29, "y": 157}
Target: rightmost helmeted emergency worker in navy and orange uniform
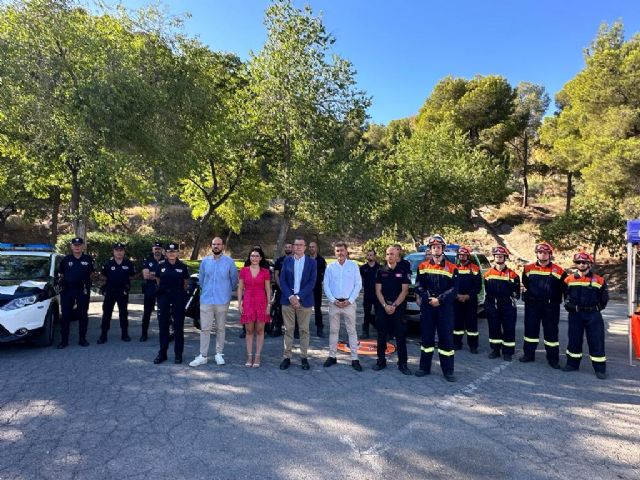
{"x": 586, "y": 296}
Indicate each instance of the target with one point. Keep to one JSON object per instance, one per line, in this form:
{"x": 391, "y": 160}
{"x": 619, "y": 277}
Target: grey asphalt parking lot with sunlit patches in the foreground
{"x": 107, "y": 412}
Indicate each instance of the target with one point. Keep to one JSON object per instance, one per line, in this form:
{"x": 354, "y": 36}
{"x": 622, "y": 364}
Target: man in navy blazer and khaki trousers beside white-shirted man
{"x": 297, "y": 280}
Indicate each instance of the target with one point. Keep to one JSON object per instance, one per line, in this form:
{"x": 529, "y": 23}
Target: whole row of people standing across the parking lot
{"x": 447, "y": 293}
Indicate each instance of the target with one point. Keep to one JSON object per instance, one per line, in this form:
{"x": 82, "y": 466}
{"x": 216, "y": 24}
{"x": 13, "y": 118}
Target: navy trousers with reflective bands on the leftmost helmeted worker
{"x": 440, "y": 319}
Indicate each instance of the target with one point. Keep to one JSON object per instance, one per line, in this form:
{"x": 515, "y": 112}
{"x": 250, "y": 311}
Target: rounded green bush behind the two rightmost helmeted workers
{"x": 595, "y": 221}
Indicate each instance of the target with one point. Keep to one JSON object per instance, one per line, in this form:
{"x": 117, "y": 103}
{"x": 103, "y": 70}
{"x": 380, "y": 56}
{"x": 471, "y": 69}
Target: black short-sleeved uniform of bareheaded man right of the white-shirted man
{"x": 391, "y": 281}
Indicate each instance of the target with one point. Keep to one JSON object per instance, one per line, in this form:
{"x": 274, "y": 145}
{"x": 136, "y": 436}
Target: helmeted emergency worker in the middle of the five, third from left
{"x": 502, "y": 290}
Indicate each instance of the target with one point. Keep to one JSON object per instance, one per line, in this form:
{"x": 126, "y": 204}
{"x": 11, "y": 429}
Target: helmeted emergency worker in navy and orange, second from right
{"x": 542, "y": 286}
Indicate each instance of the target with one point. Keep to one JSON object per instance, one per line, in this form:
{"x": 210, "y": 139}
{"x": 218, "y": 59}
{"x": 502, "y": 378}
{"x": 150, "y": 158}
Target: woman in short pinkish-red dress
{"x": 254, "y": 293}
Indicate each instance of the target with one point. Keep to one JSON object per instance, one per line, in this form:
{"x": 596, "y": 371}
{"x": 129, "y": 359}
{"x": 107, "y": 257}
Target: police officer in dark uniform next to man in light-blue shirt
{"x": 172, "y": 277}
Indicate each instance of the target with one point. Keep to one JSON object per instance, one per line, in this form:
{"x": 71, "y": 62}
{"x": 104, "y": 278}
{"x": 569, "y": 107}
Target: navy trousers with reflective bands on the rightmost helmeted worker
{"x": 592, "y": 324}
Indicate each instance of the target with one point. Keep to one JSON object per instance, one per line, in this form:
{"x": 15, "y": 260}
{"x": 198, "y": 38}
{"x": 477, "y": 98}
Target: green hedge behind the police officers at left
{"x": 100, "y": 245}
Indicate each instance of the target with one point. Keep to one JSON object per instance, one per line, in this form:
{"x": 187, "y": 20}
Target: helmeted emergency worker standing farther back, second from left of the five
{"x": 466, "y": 304}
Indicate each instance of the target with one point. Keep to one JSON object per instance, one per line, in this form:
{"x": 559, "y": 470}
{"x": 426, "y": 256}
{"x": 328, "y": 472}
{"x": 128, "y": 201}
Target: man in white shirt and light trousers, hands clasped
{"x": 342, "y": 284}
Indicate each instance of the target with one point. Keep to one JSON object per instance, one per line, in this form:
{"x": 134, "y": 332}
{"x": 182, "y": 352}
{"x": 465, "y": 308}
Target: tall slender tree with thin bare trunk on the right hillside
{"x": 531, "y": 103}
